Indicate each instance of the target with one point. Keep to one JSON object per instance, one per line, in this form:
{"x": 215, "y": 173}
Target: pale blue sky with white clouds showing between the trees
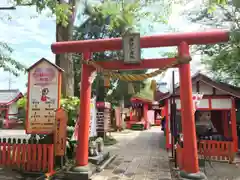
{"x": 31, "y": 37}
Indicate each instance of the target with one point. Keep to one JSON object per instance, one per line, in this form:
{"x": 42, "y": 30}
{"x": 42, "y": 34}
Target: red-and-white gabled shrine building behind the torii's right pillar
{"x": 217, "y": 104}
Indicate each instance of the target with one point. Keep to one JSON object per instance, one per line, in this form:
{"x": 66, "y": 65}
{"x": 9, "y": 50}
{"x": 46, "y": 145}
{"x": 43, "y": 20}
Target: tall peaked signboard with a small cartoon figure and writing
{"x": 44, "y": 83}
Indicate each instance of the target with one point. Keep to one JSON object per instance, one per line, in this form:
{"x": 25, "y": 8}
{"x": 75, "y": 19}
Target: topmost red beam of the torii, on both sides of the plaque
{"x": 162, "y": 40}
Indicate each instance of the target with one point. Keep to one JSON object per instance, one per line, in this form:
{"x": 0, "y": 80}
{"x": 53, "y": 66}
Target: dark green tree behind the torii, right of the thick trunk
{"x": 98, "y": 26}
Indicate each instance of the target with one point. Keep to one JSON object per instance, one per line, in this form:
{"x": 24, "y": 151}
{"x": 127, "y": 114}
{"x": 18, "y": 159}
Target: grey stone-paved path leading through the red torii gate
{"x": 143, "y": 157}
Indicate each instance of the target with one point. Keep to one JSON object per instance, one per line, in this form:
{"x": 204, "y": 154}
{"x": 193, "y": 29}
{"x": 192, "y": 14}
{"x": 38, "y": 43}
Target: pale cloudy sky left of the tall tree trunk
{"x": 30, "y": 35}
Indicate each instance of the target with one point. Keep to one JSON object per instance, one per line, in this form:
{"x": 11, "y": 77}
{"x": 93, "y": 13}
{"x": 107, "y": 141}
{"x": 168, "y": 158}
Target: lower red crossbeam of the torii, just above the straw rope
{"x": 145, "y": 64}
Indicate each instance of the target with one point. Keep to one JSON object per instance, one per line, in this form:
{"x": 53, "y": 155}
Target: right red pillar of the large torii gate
{"x": 188, "y": 120}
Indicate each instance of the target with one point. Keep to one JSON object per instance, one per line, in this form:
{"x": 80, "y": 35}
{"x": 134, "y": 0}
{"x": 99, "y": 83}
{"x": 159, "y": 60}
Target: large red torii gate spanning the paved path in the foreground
{"x": 182, "y": 41}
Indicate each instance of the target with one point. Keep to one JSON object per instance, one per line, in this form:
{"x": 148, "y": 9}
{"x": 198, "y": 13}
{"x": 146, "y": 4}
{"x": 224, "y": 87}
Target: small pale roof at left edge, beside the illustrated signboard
{"x": 9, "y": 96}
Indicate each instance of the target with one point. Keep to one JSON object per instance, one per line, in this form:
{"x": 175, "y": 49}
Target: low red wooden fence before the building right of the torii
{"x": 216, "y": 150}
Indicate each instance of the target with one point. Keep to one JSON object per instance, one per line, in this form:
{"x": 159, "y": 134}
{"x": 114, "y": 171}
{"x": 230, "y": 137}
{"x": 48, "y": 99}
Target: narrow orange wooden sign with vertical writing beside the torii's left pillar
{"x": 60, "y": 132}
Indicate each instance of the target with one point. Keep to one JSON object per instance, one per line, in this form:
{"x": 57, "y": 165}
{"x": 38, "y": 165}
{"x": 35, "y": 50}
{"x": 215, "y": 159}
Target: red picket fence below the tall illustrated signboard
{"x": 27, "y": 157}
